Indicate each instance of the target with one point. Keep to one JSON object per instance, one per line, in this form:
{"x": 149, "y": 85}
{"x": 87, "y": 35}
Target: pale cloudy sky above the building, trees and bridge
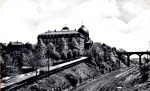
{"x": 118, "y": 23}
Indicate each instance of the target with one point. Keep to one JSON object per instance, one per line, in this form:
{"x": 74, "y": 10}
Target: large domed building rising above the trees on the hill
{"x": 81, "y": 35}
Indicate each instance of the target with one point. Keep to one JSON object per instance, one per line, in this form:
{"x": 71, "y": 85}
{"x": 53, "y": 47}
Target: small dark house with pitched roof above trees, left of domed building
{"x": 15, "y": 45}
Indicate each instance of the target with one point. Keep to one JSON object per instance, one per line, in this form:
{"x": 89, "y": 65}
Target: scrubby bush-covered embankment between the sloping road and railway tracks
{"x": 102, "y": 59}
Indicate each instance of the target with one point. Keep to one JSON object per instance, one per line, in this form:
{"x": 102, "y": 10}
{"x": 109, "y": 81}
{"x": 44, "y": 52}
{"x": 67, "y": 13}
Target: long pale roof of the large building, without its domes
{"x": 60, "y": 32}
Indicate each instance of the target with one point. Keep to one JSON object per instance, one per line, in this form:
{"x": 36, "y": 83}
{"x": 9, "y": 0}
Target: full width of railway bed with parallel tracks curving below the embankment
{"x": 103, "y": 82}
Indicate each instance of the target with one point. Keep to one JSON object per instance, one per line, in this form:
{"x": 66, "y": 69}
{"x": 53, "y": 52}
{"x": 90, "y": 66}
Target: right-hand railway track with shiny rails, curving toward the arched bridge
{"x": 107, "y": 86}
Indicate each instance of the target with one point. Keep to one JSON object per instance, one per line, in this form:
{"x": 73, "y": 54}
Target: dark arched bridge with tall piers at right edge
{"x": 128, "y": 54}
